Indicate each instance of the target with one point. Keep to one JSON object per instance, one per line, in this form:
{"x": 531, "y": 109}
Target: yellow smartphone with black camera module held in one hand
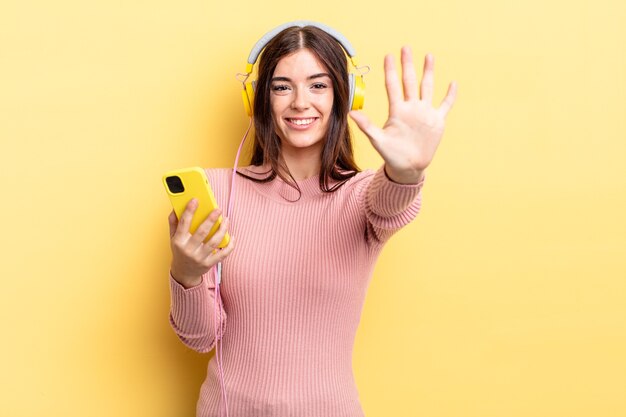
{"x": 184, "y": 184}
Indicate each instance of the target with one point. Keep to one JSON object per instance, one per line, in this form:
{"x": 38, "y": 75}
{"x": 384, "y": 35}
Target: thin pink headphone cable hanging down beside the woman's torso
{"x": 217, "y": 275}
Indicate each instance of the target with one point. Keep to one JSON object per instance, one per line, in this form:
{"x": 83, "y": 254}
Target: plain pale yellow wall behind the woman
{"x": 505, "y": 298}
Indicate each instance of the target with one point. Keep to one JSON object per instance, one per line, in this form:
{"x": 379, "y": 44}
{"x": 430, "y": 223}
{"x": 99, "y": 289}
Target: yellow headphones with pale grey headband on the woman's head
{"x": 356, "y": 82}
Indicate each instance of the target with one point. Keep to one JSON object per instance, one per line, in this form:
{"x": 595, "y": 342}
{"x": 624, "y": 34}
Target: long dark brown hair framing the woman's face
{"x": 337, "y": 160}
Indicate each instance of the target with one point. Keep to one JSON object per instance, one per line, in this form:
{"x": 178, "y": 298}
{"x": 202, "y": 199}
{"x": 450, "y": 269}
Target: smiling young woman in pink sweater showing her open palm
{"x": 308, "y": 227}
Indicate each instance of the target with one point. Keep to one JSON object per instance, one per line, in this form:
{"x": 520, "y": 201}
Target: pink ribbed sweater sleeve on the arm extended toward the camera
{"x": 388, "y": 206}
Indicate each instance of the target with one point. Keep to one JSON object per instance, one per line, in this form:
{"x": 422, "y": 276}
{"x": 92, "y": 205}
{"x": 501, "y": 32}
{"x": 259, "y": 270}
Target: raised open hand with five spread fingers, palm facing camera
{"x": 410, "y": 137}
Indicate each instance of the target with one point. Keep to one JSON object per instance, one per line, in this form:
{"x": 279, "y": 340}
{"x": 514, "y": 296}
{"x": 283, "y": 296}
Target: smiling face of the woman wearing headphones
{"x": 301, "y": 100}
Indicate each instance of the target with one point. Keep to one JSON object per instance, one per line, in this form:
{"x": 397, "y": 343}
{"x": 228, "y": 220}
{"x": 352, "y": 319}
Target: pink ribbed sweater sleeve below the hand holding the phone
{"x": 192, "y": 313}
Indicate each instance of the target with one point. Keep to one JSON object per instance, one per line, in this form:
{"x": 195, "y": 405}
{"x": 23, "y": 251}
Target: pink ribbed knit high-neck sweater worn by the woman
{"x": 293, "y": 290}
